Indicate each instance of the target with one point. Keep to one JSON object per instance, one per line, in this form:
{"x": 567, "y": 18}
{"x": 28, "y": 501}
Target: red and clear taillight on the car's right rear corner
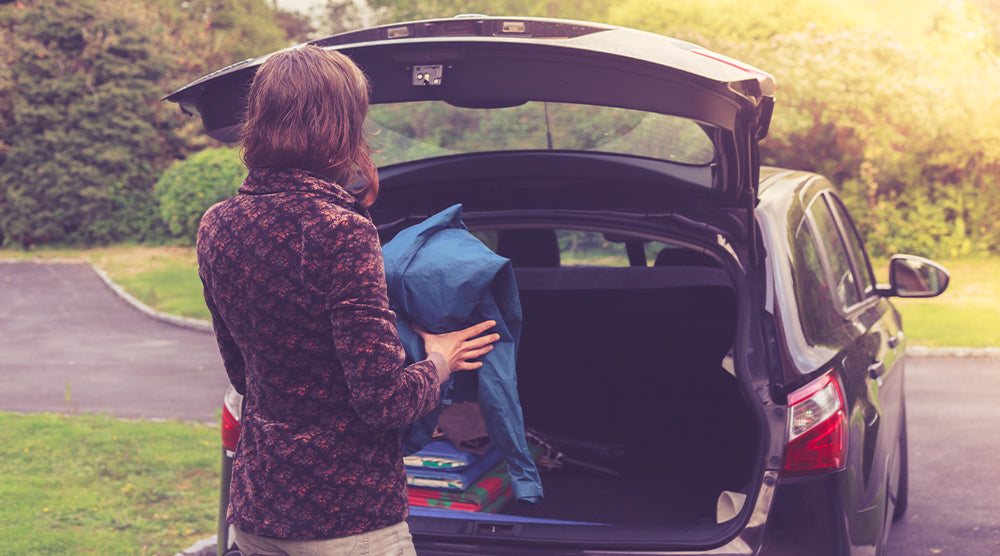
{"x": 817, "y": 428}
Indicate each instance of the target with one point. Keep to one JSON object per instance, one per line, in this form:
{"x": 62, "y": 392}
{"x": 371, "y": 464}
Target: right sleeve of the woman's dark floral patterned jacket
{"x": 384, "y": 392}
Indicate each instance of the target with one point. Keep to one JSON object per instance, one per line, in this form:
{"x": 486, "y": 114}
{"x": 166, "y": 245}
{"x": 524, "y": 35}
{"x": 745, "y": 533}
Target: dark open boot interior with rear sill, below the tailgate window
{"x": 625, "y": 365}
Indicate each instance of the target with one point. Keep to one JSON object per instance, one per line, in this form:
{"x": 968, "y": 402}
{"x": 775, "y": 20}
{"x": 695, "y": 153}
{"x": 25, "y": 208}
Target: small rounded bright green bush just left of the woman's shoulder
{"x": 189, "y": 187}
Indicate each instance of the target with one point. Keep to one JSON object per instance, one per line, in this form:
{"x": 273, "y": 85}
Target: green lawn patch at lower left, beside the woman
{"x": 91, "y": 484}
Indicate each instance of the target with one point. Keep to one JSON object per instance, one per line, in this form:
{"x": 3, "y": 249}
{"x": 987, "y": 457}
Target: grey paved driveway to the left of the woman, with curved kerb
{"x": 68, "y": 343}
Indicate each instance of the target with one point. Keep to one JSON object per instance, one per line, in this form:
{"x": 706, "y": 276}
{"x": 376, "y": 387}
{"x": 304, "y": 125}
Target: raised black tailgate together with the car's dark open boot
{"x": 617, "y": 170}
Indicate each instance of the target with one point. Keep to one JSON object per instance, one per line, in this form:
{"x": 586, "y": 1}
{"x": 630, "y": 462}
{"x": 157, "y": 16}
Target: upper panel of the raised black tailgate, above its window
{"x": 732, "y": 100}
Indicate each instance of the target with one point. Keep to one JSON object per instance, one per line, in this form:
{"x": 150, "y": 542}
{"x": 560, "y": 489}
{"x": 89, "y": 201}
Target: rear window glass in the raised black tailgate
{"x": 409, "y": 131}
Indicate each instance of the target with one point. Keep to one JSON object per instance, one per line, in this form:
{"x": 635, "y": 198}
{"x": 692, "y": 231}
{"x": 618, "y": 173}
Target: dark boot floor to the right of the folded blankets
{"x": 633, "y": 501}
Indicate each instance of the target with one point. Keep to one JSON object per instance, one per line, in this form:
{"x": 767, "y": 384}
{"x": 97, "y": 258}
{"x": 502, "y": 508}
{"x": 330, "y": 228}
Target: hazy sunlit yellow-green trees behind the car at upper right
{"x": 895, "y": 101}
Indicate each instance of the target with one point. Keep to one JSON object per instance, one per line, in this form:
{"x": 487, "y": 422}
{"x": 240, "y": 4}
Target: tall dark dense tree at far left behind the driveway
{"x": 77, "y": 169}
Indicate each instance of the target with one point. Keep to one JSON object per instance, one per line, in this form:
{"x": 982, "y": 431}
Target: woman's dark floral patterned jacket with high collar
{"x": 295, "y": 282}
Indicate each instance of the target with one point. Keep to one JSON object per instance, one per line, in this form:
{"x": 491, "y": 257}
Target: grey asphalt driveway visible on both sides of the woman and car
{"x": 68, "y": 343}
